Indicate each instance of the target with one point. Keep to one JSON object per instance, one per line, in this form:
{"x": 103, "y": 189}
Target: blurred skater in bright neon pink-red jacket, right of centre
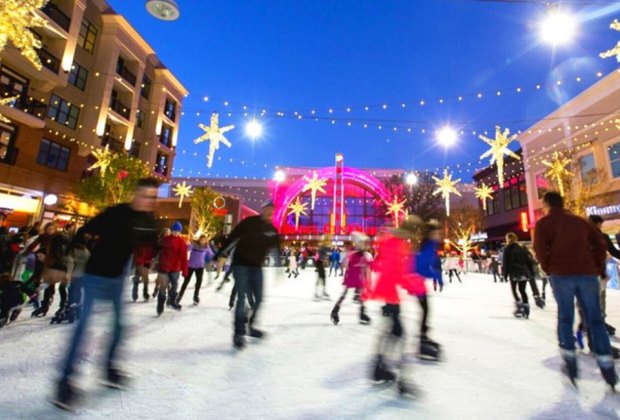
{"x": 392, "y": 266}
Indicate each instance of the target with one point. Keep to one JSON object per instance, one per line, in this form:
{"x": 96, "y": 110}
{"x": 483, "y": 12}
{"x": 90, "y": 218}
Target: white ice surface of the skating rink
{"x": 184, "y": 367}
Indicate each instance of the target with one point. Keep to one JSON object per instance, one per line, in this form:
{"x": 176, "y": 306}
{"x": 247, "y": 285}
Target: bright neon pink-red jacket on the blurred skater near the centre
{"x": 393, "y": 267}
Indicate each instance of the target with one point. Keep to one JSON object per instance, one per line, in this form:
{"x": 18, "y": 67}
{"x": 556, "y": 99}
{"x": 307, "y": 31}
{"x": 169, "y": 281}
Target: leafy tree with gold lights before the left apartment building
{"x": 116, "y": 184}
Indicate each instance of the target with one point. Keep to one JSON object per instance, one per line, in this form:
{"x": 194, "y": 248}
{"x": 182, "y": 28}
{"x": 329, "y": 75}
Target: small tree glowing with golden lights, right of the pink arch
{"x": 465, "y": 220}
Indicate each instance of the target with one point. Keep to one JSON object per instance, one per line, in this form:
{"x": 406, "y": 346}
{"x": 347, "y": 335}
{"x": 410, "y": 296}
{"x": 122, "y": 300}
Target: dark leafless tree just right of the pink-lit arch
{"x": 420, "y": 199}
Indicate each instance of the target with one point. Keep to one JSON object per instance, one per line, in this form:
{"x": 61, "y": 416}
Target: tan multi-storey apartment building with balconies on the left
{"x": 101, "y": 85}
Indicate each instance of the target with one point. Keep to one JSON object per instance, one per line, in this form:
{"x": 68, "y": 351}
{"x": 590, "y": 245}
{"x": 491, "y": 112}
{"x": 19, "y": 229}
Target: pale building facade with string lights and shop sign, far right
{"x": 586, "y": 132}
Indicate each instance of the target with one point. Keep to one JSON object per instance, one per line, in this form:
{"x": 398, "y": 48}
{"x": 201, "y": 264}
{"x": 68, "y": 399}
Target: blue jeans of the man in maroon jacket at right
{"x": 586, "y": 289}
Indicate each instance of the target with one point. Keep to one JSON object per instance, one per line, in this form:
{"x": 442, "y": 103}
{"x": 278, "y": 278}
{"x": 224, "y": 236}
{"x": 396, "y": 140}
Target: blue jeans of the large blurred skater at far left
{"x": 96, "y": 288}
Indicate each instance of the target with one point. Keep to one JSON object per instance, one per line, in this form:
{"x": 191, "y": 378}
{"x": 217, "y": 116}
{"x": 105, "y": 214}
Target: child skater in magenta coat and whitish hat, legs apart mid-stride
{"x": 357, "y": 275}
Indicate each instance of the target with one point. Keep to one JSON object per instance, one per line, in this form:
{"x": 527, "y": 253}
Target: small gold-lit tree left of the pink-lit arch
{"x": 205, "y": 218}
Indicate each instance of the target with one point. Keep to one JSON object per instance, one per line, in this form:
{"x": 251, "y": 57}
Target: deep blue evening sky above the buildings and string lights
{"x": 300, "y": 55}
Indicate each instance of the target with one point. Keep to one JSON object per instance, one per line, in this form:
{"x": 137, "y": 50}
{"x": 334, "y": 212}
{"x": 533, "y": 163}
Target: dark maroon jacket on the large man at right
{"x": 567, "y": 245}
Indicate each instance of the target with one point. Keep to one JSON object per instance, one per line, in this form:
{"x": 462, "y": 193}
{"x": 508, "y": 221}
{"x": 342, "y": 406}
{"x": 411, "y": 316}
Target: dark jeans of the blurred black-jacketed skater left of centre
{"x": 248, "y": 281}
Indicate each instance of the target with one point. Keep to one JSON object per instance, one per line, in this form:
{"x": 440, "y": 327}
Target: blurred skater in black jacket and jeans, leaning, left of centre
{"x": 254, "y": 237}
